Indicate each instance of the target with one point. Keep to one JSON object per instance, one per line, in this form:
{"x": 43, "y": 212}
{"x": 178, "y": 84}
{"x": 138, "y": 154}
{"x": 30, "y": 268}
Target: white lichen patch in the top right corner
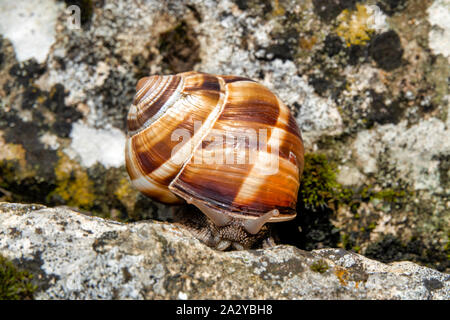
{"x": 439, "y": 35}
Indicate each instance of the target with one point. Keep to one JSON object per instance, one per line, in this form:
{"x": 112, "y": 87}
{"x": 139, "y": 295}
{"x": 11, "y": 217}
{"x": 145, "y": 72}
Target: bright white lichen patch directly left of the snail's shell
{"x": 105, "y": 146}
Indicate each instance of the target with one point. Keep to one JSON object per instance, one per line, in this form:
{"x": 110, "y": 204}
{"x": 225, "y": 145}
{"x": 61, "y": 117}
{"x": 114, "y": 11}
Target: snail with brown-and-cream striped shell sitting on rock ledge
{"x": 225, "y": 144}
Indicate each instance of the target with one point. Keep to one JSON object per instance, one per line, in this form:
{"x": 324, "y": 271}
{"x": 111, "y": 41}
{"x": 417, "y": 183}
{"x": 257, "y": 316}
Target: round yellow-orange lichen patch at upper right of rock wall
{"x": 355, "y": 26}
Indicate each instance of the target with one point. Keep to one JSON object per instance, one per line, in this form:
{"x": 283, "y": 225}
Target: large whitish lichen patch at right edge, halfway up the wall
{"x": 409, "y": 151}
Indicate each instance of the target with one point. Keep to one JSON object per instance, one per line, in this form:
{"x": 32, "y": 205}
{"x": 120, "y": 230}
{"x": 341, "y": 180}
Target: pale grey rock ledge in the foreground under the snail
{"x": 74, "y": 256}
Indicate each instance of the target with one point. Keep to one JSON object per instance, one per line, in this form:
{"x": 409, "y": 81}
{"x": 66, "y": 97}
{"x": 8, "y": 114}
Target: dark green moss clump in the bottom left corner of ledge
{"x": 14, "y": 284}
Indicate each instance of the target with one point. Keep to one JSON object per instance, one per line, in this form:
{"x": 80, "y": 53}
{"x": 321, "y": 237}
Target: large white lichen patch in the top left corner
{"x": 30, "y": 25}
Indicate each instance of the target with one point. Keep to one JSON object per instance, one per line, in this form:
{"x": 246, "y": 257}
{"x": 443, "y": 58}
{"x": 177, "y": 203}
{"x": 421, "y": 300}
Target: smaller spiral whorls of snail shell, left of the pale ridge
{"x": 163, "y": 105}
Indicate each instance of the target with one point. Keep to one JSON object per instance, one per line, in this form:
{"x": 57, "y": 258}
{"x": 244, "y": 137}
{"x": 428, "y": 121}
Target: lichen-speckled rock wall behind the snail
{"x": 366, "y": 80}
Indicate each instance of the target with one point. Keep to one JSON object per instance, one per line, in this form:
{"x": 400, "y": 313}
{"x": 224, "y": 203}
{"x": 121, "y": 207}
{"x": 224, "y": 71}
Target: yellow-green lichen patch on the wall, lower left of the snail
{"x": 73, "y": 183}
